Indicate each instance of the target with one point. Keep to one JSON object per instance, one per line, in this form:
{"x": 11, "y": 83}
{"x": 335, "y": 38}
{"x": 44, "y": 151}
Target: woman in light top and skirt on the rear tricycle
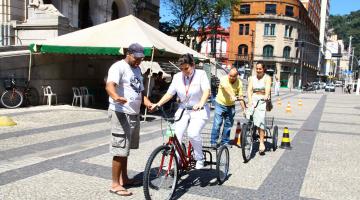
{"x": 259, "y": 88}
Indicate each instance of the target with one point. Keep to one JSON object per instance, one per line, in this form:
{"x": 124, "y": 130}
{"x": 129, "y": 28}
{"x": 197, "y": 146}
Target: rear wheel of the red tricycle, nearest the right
{"x": 222, "y": 164}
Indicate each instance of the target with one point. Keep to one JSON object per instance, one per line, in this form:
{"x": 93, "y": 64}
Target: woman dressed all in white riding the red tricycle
{"x": 193, "y": 89}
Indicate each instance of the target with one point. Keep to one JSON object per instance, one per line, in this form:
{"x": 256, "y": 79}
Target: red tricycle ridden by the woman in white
{"x": 169, "y": 161}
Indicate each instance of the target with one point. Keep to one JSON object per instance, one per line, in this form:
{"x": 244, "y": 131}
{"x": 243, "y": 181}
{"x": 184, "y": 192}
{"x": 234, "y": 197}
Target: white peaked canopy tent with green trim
{"x": 112, "y": 38}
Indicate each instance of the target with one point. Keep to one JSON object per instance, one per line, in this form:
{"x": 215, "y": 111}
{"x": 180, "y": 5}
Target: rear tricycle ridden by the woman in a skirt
{"x": 249, "y": 134}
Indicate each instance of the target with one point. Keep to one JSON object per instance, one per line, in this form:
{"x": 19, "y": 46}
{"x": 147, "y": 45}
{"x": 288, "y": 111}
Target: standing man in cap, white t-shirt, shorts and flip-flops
{"x": 124, "y": 86}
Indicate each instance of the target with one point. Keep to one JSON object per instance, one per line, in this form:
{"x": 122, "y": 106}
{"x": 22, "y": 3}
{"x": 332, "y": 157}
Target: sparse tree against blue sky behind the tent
{"x": 189, "y": 14}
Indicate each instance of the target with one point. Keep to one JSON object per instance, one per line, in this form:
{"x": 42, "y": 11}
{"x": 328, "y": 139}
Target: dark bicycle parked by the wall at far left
{"x": 14, "y": 96}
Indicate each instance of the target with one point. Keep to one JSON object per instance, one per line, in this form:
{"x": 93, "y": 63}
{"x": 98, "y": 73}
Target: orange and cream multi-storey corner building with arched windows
{"x": 279, "y": 33}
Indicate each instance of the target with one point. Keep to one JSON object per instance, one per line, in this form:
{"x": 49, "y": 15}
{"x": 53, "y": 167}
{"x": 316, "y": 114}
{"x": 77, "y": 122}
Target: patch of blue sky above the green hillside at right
{"x": 342, "y": 7}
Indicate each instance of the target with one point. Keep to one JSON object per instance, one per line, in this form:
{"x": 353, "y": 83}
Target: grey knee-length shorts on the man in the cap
{"x": 125, "y": 133}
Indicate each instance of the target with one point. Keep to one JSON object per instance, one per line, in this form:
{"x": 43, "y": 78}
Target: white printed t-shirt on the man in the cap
{"x": 129, "y": 85}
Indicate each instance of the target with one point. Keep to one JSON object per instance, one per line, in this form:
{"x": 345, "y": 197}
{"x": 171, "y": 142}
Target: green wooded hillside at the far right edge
{"x": 346, "y": 25}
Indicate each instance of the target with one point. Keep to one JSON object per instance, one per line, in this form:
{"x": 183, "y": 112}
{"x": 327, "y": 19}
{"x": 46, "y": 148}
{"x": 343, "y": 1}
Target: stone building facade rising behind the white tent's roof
{"x": 26, "y": 21}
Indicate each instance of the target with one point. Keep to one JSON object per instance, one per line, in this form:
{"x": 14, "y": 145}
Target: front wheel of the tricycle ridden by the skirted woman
{"x": 246, "y": 142}
